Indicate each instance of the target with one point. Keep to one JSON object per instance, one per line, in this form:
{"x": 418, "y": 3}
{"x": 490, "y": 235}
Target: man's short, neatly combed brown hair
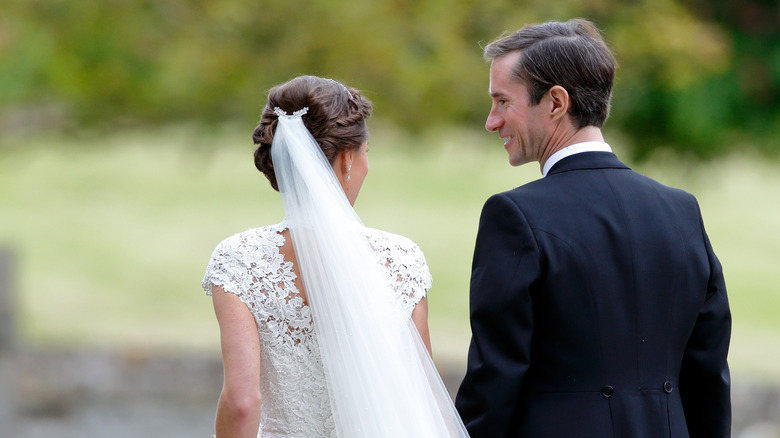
{"x": 571, "y": 54}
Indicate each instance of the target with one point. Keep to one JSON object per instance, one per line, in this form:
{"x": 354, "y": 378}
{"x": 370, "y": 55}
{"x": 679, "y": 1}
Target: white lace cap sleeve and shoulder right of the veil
{"x": 406, "y": 265}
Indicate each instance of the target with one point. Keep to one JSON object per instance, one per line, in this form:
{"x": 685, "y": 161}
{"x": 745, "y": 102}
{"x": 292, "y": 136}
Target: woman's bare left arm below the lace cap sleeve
{"x": 238, "y": 409}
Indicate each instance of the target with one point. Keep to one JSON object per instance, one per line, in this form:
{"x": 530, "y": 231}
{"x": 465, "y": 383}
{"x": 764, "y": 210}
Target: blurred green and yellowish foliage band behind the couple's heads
{"x": 701, "y": 76}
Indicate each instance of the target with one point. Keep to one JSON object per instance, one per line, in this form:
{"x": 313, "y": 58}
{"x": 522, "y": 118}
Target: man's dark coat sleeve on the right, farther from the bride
{"x": 704, "y": 376}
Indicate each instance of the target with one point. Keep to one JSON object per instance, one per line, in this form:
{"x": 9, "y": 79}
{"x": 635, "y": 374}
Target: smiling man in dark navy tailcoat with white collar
{"x": 598, "y": 308}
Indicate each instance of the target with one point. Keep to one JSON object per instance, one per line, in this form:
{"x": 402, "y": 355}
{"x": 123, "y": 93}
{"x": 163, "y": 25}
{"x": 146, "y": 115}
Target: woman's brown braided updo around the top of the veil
{"x": 336, "y": 118}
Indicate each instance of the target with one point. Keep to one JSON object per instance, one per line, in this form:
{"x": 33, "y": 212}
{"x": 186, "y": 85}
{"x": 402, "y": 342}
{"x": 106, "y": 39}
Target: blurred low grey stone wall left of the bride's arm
{"x": 59, "y": 394}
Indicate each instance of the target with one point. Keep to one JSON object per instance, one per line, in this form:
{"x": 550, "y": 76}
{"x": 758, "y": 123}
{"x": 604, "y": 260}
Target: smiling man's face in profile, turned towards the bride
{"x": 517, "y": 123}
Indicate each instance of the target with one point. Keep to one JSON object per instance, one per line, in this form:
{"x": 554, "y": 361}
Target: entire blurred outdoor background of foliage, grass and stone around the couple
{"x": 125, "y": 157}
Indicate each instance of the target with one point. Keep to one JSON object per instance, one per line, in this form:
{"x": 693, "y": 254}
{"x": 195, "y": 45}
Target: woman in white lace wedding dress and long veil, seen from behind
{"x": 323, "y": 322}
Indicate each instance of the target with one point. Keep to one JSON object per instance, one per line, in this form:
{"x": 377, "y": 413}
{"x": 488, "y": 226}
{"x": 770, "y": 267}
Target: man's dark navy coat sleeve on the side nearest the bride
{"x": 505, "y": 265}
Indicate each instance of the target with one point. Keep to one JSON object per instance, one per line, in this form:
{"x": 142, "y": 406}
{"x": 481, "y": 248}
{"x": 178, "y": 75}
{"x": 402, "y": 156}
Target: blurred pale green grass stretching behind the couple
{"x": 113, "y": 233}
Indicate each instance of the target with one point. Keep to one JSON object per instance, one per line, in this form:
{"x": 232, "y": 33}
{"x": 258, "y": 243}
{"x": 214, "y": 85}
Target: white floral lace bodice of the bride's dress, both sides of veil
{"x": 294, "y": 394}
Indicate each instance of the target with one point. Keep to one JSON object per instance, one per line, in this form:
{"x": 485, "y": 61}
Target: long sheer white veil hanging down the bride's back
{"x": 381, "y": 380}
